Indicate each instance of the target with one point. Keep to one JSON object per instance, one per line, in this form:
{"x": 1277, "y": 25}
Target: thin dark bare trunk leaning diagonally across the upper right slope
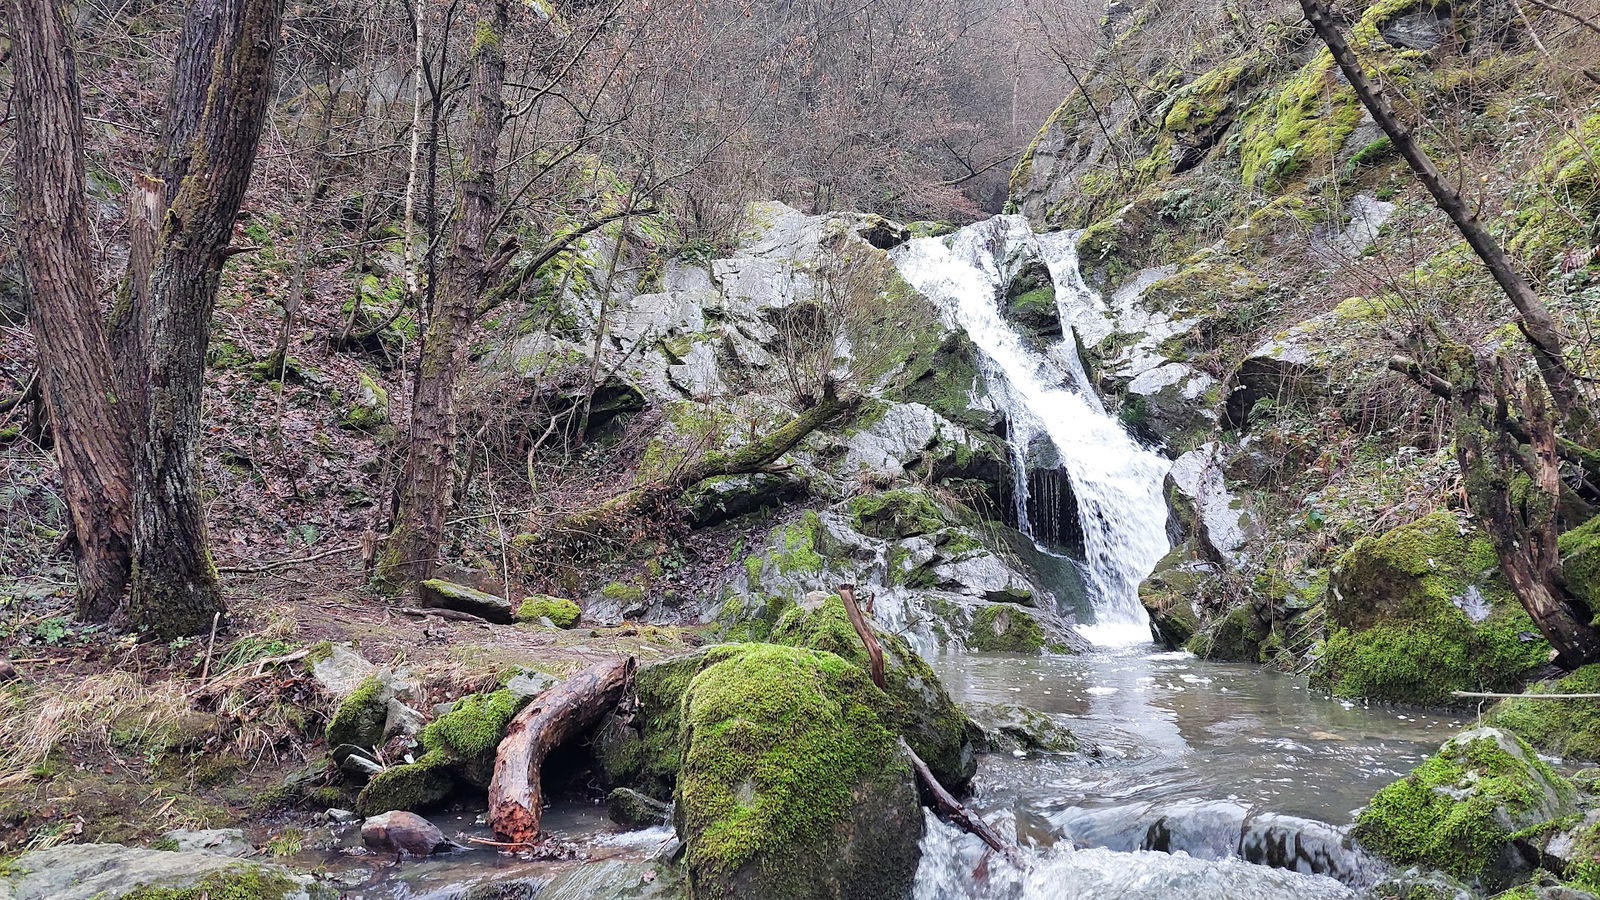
{"x": 1535, "y": 319}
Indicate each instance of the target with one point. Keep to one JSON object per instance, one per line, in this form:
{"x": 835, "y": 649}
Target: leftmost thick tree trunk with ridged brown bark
{"x": 81, "y": 393}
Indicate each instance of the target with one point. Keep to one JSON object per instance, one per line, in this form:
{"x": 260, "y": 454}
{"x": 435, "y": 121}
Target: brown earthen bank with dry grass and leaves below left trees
{"x": 110, "y": 739}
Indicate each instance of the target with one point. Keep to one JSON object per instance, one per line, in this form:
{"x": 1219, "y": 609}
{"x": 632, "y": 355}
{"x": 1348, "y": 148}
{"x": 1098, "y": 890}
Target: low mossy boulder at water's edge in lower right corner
{"x": 1465, "y": 810}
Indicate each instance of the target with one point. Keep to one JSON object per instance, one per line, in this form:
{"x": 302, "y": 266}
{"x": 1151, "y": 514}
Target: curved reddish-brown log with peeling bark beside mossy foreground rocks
{"x": 554, "y": 718}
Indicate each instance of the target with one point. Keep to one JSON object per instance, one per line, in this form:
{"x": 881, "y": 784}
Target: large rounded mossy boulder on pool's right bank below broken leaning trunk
{"x": 1420, "y": 613}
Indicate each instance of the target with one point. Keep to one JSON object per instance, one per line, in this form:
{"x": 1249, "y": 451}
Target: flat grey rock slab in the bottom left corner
{"x": 111, "y": 872}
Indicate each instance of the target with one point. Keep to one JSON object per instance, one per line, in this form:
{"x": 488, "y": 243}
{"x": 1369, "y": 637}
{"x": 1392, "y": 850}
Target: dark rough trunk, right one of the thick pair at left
{"x": 222, "y": 90}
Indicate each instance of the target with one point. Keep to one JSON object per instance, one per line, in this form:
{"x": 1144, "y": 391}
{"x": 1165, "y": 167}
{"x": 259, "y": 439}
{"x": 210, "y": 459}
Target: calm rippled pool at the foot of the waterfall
{"x": 1170, "y": 728}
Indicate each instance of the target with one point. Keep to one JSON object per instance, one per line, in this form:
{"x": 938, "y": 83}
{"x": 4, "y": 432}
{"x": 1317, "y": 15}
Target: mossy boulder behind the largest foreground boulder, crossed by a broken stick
{"x": 918, "y": 709}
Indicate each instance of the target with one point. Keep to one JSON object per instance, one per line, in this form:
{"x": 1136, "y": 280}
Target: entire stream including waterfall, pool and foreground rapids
{"x": 1193, "y": 779}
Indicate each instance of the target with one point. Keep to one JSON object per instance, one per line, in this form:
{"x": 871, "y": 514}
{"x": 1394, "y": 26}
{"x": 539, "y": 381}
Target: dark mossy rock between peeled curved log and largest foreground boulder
{"x": 641, "y": 747}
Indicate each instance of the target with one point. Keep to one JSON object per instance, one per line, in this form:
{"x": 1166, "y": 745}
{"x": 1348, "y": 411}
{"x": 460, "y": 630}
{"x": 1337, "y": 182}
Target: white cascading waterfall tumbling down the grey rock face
{"x": 1116, "y": 481}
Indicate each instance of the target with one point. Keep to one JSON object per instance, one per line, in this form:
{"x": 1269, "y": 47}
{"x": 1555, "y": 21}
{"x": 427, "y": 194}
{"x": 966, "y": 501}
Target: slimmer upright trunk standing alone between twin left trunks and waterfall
{"x": 425, "y": 489}
